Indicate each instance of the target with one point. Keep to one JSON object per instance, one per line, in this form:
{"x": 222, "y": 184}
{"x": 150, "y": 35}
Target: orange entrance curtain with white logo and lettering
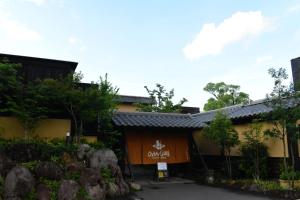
{"x": 150, "y": 148}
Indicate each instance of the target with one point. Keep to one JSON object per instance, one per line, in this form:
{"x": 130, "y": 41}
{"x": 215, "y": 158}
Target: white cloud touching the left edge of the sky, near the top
{"x": 15, "y": 29}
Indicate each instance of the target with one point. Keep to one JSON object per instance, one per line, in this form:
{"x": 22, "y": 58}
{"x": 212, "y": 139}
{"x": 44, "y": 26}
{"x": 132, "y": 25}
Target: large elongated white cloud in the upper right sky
{"x": 213, "y": 38}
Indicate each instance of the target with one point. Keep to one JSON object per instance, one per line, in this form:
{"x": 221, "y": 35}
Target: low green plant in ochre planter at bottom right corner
{"x": 290, "y": 179}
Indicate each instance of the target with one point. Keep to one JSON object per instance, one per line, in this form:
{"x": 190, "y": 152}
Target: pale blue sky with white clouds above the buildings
{"x": 179, "y": 44}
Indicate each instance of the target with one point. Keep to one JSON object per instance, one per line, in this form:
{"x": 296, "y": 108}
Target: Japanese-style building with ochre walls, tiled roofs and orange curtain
{"x": 150, "y": 137}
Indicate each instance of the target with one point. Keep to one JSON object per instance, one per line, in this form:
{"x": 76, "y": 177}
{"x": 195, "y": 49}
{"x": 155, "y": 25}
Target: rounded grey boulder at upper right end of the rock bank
{"x": 103, "y": 158}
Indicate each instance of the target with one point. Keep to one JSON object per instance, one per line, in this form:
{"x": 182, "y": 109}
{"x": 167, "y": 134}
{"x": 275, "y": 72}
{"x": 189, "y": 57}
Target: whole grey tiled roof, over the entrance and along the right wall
{"x": 199, "y": 120}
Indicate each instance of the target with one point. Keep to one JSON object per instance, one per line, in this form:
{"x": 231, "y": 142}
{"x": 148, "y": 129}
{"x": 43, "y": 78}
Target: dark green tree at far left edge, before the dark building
{"x": 22, "y": 100}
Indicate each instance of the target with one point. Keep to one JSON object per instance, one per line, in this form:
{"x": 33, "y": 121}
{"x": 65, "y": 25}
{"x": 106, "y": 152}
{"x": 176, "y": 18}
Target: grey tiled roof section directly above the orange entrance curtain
{"x": 151, "y": 119}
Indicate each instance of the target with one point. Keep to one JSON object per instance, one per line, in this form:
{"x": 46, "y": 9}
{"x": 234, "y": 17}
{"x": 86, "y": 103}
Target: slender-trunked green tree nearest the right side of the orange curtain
{"x": 221, "y": 131}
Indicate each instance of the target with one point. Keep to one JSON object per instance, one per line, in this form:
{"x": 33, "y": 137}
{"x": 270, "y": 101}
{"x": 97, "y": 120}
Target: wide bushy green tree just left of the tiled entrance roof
{"x": 83, "y": 102}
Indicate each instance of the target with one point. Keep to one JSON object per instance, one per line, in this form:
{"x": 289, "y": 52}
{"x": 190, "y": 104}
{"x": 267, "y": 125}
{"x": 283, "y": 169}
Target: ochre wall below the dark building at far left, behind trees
{"x": 48, "y": 128}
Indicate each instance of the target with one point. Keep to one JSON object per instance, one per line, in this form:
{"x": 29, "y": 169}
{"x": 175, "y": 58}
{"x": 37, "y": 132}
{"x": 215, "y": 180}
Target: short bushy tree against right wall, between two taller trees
{"x": 254, "y": 151}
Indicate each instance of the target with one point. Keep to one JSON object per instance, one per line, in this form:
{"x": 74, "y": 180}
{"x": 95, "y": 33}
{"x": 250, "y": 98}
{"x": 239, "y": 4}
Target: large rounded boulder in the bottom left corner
{"x": 18, "y": 182}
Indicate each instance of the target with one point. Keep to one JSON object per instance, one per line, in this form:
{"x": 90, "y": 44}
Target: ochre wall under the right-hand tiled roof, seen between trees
{"x": 208, "y": 147}
